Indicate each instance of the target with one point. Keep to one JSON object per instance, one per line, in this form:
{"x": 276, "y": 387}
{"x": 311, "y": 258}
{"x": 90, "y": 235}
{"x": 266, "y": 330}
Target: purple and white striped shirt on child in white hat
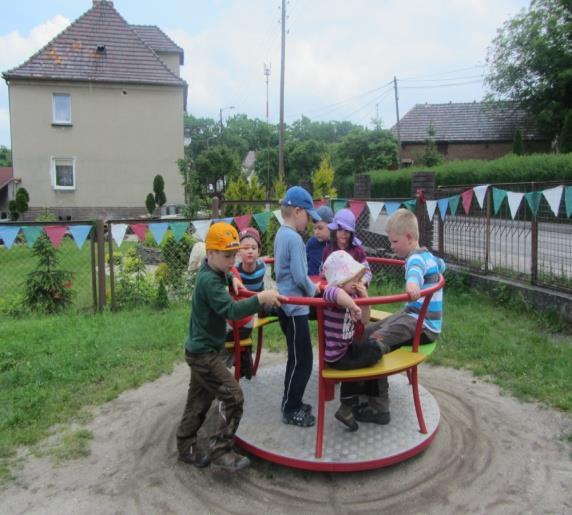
{"x": 339, "y": 328}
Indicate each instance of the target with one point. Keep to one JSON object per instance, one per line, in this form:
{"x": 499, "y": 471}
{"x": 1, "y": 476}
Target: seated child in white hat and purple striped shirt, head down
{"x": 345, "y": 350}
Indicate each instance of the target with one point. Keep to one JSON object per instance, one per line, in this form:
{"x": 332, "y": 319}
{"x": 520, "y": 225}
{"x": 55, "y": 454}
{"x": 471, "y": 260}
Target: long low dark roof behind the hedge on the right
{"x": 474, "y": 121}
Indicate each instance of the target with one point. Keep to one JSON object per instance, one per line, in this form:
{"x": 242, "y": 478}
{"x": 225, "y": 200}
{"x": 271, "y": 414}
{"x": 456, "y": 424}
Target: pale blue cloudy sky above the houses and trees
{"x": 341, "y": 55}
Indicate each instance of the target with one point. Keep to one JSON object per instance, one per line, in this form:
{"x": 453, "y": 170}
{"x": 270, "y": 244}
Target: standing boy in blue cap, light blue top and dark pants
{"x": 292, "y": 279}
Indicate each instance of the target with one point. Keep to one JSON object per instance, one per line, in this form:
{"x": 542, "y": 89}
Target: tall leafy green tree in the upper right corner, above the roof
{"x": 530, "y": 62}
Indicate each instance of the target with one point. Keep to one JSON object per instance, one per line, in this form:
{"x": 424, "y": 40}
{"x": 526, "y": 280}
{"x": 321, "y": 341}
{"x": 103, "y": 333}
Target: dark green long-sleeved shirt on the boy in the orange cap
{"x": 212, "y": 306}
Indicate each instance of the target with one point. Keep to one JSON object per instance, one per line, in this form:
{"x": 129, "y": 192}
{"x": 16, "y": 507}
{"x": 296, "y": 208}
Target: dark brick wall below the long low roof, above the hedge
{"x": 480, "y": 150}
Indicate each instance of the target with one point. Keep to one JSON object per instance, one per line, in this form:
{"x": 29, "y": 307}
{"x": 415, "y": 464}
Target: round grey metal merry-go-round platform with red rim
{"x": 263, "y": 434}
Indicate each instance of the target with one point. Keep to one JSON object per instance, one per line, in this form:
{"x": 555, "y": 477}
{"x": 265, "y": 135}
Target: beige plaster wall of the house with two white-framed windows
{"x": 121, "y": 137}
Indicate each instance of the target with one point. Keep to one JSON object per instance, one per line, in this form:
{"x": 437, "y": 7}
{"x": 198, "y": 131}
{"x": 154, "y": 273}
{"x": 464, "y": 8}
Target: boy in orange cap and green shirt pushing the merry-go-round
{"x": 212, "y": 305}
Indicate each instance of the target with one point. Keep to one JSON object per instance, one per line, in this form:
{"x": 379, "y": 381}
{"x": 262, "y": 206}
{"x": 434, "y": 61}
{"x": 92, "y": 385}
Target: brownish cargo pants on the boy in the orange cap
{"x": 210, "y": 380}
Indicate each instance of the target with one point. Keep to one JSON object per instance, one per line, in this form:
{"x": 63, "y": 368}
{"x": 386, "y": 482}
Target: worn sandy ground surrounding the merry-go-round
{"x": 492, "y": 454}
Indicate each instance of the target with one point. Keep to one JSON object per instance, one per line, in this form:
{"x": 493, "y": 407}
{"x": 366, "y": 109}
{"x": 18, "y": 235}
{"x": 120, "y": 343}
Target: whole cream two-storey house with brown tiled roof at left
{"x": 95, "y": 115}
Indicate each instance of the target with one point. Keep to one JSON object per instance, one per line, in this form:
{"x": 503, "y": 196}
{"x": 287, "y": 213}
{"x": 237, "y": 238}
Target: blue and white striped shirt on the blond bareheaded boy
{"x": 423, "y": 268}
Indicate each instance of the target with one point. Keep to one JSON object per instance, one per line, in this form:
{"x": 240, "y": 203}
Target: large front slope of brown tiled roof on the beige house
{"x": 99, "y": 46}
